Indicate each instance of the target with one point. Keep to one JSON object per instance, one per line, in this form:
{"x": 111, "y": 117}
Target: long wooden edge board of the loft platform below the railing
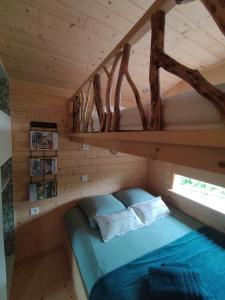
{"x": 203, "y": 149}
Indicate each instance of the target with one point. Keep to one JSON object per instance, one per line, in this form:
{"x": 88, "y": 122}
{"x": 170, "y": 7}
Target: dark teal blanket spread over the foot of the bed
{"x": 203, "y": 250}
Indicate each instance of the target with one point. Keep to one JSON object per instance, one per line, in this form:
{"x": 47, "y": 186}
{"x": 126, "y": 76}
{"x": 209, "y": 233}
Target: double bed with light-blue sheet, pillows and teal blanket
{"x": 112, "y": 260}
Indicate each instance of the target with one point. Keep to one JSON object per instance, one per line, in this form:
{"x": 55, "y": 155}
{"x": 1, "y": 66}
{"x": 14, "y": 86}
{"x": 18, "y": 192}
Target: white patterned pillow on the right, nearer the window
{"x": 151, "y": 210}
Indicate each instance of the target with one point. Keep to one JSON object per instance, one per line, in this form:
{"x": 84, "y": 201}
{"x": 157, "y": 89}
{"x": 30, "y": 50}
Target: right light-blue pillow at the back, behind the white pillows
{"x": 132, "y": 196}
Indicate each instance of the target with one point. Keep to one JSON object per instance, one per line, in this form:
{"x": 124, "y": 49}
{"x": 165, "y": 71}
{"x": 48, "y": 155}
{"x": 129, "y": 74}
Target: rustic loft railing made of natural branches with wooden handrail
{"x": 154, "y": 19}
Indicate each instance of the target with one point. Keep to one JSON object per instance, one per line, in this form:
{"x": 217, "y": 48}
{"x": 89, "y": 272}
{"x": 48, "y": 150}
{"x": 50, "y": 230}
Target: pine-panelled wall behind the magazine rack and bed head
{"x": 106, "y": 172}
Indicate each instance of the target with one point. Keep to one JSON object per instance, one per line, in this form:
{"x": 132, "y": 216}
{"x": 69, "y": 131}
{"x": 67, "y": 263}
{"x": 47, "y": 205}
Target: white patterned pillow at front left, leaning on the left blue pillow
{"x": 118, "y": 224}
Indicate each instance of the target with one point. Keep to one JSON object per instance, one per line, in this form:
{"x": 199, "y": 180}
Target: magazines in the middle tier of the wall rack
{"x": 43, "y": 166}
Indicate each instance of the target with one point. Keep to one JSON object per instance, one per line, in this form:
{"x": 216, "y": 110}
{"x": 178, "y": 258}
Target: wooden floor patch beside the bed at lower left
{"x": 45, "y": 278}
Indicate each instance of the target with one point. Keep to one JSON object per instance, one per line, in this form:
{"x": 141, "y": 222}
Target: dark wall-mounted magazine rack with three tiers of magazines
{"x": 43, "y": 160}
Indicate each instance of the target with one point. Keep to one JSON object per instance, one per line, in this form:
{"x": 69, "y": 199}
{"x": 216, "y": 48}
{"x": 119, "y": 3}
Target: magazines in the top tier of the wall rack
{"x": 43, "y": 140}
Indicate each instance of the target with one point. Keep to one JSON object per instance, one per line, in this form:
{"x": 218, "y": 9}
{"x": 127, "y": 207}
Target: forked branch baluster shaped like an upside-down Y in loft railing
{"x": 123, "y": 71}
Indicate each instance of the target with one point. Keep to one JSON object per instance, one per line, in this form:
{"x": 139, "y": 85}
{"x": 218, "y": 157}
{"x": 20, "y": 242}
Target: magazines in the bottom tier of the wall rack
{"x": 42, "y": 190}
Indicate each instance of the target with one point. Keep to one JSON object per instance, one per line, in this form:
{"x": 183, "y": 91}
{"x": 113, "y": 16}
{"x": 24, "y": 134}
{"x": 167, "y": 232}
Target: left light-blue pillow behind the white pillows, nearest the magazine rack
{"x": 100, "y": 205}
